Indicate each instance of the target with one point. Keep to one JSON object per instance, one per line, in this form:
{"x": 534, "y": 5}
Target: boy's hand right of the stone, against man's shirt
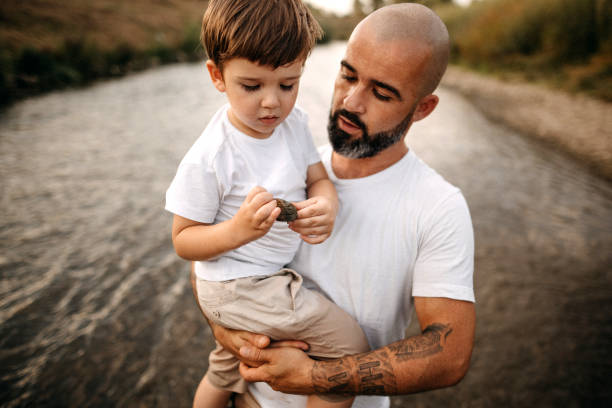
{"x": 316, "y": 217}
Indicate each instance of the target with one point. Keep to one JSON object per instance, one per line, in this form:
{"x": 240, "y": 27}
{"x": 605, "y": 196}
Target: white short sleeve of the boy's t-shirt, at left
{"x": 194, "y": 193}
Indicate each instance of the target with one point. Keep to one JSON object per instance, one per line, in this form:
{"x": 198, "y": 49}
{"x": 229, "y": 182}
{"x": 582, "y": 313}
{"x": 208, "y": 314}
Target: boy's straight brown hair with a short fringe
{"x": 267, "y": 32}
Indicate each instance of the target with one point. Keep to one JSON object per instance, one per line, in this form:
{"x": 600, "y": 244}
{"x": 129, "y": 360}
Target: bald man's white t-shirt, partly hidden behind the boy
{"x": 399, "y": 233}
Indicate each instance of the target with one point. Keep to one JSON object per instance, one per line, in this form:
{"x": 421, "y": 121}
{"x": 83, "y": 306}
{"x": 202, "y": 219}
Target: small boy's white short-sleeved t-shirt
{"x": 220, "y": 169}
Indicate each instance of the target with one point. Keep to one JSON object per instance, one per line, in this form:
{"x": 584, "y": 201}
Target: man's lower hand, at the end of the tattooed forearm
{"x": 285, "y": 369}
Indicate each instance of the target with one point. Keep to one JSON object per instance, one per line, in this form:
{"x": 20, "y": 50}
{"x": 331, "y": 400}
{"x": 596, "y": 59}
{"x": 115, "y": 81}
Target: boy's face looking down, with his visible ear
{"x": 260, "y": 97}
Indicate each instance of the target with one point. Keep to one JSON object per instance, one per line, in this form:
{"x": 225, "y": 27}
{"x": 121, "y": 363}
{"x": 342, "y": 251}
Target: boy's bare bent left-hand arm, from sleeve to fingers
{"x": 196, "y": 241}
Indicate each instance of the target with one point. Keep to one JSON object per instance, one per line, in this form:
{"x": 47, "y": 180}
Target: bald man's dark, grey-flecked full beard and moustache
{"x": 367, "y": 145}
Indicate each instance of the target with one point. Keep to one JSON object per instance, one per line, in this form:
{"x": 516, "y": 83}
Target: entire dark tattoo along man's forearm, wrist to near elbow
{"x": 372, "y": 373}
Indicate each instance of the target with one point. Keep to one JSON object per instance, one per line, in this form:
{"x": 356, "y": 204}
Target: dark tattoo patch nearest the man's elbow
{"x": 427, "y": 344}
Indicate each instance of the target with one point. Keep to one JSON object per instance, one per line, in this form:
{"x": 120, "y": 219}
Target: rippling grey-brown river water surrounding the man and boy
{"x": 96, "y": 309}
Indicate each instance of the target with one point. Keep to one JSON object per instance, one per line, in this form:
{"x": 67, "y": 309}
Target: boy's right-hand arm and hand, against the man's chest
{"x": 317, "y": 214}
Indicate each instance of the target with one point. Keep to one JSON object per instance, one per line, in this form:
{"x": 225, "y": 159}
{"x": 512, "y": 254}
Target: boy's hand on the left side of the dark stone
{"x": 256, "y": 215}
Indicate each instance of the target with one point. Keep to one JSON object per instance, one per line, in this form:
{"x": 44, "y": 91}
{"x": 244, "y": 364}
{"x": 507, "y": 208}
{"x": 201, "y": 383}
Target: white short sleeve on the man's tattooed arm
{"x": 445, "y": 262}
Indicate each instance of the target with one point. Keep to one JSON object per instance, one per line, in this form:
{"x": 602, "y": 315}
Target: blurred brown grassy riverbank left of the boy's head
{"x": 44, "y": 47}
